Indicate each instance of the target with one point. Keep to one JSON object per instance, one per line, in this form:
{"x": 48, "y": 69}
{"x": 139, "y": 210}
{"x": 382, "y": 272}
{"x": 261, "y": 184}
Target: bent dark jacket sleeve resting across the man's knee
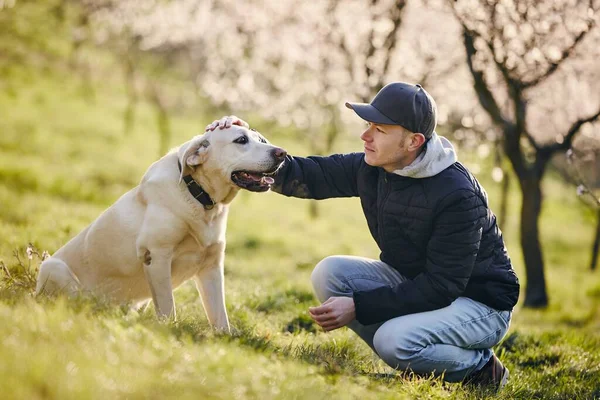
{"x": 451, "y": 254}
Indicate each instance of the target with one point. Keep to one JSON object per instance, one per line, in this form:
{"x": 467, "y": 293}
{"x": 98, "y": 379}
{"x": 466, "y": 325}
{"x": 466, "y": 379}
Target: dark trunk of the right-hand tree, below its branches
{"x": 535, "y": 292}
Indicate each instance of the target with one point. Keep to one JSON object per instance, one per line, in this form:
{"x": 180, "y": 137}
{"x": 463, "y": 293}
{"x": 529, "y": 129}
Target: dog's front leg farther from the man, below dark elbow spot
{"x": 157, "y": 268}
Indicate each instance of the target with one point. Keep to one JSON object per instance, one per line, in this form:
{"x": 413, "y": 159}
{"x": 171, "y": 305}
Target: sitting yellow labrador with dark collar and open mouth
{"x": 168, "y": 229}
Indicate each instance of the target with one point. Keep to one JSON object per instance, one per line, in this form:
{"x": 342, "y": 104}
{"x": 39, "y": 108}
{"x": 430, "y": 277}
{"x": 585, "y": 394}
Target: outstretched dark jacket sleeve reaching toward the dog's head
{"x": 319, "y": 177}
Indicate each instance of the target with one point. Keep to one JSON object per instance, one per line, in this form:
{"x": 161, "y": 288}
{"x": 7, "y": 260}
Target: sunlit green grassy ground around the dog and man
{"x": 64, "y": 159}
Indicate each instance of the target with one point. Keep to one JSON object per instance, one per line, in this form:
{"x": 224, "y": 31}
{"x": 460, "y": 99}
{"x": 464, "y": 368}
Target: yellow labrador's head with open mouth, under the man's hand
{"x": 239, "y": 156}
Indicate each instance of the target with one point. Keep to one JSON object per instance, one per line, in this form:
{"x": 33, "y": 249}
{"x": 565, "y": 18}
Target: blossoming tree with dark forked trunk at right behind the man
{"x": 533, "y": 65}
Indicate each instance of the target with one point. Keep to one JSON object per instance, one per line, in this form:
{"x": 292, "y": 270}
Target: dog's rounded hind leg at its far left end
{"x": 55, "y": 277}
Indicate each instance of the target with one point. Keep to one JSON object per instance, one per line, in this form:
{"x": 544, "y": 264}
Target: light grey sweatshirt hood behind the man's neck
{"x": 439, "y": 154}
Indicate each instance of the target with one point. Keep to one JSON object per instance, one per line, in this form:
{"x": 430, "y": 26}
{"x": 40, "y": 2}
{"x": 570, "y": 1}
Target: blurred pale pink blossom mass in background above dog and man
{"x": 292, "y": 61}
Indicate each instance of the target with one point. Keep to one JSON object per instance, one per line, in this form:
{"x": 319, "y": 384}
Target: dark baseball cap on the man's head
{"x": 400, "y": 103}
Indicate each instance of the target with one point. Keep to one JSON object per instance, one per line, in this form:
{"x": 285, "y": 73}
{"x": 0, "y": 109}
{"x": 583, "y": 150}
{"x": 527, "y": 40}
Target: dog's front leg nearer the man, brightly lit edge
{"x": 211, "y": 285}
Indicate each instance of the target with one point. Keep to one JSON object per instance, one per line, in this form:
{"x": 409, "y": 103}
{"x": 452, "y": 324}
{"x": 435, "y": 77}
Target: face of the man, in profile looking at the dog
{"x": 387, "y": 146}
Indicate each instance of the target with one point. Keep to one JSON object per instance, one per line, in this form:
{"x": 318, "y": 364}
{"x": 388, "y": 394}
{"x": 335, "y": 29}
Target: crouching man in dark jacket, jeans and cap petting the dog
{"x": 441, "y": 295}
